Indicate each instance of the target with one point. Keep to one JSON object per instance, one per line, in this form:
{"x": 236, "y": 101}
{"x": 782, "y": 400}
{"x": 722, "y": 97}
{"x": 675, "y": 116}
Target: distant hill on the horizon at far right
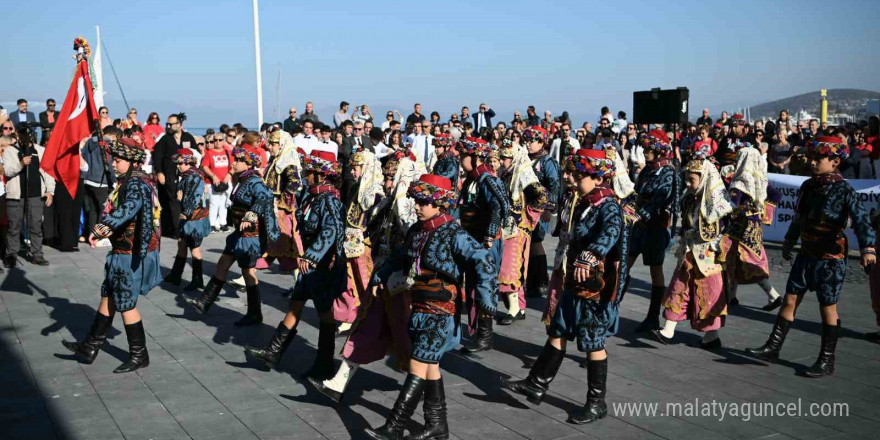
{"x": 848, "y": 101}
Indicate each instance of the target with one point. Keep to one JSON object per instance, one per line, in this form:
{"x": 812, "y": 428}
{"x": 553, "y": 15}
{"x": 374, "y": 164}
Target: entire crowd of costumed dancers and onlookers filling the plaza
{"x": 396, "y": 229}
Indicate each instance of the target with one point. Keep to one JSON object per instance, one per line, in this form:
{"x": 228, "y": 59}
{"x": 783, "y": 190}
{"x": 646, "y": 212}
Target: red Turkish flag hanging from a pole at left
{"x": 76, "y": 121}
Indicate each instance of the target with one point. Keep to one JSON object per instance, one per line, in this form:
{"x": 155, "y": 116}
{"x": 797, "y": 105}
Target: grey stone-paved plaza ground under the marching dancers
{"x": 199, "y": 384}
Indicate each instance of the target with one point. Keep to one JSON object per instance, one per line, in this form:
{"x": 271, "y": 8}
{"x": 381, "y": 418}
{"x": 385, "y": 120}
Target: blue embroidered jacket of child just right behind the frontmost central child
{"x": 483, "y": 206}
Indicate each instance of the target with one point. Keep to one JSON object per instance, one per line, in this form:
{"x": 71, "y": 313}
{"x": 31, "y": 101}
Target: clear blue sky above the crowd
{"x": 198, "y": 56}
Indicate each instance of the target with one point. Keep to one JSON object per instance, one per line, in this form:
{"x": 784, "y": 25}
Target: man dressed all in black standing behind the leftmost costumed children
{"x": 166, "y": 170}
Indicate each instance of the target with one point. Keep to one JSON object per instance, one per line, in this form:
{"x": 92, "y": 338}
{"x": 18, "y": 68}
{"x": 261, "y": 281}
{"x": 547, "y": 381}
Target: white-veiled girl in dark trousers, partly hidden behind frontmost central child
{"x": 382, "y": 319}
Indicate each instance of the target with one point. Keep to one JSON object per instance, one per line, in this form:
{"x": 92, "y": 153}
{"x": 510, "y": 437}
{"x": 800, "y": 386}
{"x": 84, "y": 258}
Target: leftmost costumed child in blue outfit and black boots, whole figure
{"x": 131, "y": 223}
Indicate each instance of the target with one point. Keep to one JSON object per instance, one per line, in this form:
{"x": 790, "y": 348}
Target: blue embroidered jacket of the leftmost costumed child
{"x": 132, "y": 223}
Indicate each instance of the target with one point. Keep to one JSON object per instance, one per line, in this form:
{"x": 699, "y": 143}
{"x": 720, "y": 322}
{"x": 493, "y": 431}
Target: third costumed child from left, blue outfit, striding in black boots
{"x": 255, "y": 226}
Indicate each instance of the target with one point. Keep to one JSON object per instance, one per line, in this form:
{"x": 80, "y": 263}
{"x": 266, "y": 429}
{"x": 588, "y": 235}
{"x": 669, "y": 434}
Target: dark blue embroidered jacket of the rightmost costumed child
{"x": 825, "y": 204}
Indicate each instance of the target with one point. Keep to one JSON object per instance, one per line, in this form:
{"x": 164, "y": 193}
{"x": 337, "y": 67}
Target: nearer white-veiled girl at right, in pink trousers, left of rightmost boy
{"x": 696, "y": 291}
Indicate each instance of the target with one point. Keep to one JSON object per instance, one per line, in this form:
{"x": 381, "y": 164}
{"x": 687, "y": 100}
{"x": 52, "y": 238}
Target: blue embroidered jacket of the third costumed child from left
{"x": 255, "y": 203}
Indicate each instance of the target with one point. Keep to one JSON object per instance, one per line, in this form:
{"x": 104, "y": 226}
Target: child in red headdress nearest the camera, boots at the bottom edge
{"x": 437, "y": 252}
